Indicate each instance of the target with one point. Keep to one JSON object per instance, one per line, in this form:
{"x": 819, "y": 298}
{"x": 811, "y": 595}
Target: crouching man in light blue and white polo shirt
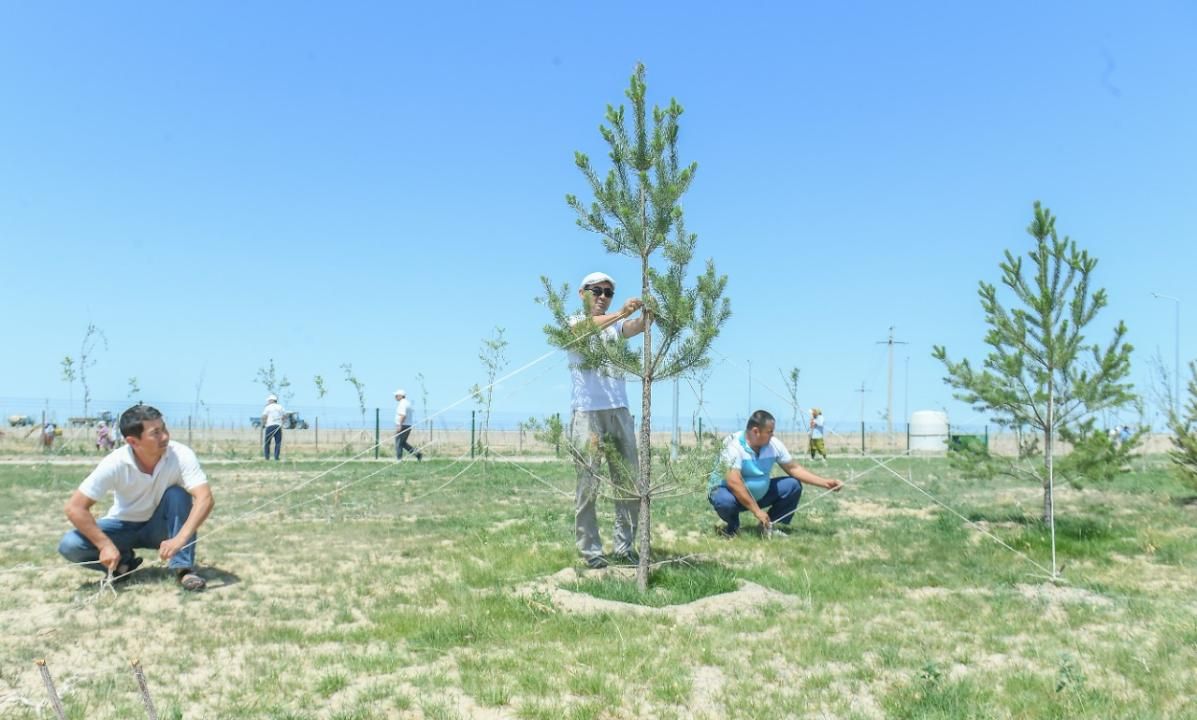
{"x": 742, "y": 480}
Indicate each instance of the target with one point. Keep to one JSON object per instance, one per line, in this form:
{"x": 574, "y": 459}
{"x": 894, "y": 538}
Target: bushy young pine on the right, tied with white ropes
{"x": 1041, "y": 374}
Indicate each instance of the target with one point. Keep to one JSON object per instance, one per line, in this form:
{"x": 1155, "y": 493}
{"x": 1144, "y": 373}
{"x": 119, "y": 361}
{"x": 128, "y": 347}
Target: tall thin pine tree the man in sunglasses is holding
{"x": 637, "y": 212}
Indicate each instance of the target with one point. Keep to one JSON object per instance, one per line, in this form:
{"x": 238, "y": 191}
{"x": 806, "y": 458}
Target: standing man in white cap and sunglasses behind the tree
{"x": 601, "y": 428}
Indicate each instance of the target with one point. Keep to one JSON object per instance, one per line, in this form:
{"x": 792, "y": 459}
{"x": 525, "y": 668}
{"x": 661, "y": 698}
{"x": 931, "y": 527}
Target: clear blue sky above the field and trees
{"x": 216, "y": 185}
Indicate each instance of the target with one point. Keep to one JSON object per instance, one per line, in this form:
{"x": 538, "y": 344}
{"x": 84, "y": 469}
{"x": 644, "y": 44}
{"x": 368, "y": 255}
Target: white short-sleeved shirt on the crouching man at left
{"x": 137, "y": 495}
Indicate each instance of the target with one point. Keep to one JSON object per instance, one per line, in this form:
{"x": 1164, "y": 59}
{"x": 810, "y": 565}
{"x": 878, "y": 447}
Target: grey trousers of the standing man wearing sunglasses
{"x": 605, "y": 437}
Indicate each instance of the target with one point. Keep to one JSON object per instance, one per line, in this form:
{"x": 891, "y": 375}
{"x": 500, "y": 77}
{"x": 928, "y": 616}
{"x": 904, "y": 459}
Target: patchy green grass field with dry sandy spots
{"x": 415, "y": 593}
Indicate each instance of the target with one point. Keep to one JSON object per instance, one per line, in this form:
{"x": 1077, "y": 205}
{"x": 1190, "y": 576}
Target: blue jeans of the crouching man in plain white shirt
{"x": 165, "y": 524}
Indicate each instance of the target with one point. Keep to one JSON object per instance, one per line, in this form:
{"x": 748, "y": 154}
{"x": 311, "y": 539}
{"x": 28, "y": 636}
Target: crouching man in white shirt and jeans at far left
{"x": 161, "y": 498}
